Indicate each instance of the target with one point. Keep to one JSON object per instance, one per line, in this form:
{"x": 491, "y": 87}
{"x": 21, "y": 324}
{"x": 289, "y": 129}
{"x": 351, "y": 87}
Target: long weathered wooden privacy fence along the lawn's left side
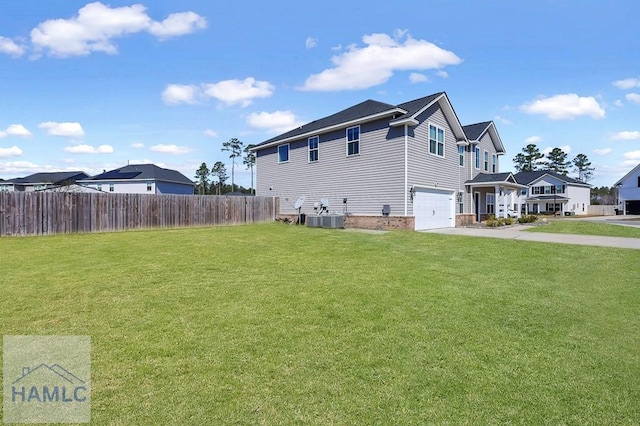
{"x": 47, "y": 213}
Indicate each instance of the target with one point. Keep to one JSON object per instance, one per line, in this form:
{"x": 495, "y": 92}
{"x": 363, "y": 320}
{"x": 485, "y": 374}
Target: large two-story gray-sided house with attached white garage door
{"x": 412, "y": 159}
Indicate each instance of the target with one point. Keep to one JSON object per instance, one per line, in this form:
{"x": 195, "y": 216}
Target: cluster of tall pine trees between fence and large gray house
{"x": 213, "y": 181}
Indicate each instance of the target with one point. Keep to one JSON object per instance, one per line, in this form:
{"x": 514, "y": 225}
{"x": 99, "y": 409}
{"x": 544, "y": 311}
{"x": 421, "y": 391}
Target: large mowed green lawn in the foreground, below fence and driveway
{"x": 277, "y": 324}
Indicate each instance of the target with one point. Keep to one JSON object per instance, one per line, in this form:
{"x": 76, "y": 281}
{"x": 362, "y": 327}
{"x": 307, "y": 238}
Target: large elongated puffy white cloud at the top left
{"x": 96, "y": 25}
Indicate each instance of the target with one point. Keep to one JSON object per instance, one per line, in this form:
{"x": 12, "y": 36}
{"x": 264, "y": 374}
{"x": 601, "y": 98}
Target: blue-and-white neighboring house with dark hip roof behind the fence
{"x": 140, "y": 179}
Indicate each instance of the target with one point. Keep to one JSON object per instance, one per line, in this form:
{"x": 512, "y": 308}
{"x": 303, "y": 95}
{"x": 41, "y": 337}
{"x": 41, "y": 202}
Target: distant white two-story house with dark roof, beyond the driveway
{"x": 549, "y": 192}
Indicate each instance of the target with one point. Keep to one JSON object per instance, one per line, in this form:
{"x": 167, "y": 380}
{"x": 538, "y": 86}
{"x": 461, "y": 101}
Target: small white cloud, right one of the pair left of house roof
{"x": 239, "y": 91}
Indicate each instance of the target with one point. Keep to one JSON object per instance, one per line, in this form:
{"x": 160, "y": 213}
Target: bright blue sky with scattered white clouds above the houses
{"x": 92, "y": 86}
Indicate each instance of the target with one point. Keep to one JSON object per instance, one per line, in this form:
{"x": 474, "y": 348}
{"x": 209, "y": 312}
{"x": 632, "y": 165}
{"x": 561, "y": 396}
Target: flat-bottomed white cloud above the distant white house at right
{"x": 565, "y": 107}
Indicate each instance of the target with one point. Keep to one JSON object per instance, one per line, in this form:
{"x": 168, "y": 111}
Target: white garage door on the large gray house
{"x": 433, "y": 208}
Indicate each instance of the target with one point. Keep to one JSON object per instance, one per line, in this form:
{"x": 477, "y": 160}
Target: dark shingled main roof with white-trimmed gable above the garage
{"x": 369, "y": 110}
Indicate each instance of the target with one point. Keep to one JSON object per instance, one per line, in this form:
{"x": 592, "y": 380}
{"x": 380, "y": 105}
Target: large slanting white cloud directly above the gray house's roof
{"x": 381, "y": 57}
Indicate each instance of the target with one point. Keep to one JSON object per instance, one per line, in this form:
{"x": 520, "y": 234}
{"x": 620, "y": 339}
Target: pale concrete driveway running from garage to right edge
{"x": 517, "y": 233}
